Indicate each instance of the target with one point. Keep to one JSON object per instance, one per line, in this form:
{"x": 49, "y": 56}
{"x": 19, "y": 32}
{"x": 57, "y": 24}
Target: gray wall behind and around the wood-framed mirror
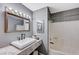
{"x": 6, "y": 38}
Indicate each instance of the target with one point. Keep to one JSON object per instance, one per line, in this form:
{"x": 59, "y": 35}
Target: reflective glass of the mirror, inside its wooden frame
{"x": 17, "y": 24}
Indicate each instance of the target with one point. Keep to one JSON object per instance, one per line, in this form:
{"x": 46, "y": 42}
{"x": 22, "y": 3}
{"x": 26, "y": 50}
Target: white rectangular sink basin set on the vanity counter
{"x": 23, "y": 43}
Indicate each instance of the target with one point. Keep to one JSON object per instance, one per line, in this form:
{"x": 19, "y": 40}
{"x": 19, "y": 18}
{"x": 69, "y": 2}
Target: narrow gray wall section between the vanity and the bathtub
{"x": 42, "y": 14}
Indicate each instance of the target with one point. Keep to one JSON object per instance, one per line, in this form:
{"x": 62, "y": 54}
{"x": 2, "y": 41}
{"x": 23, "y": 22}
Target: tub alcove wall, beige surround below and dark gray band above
{"x": 64, "y": 31}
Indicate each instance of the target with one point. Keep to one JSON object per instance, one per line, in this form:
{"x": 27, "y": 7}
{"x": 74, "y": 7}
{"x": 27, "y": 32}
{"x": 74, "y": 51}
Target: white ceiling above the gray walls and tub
{"x": 54, "y": 7}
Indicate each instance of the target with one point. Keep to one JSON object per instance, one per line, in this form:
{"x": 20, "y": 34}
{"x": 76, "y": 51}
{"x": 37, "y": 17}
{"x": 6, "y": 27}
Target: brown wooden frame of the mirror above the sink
{"x": 6, "y": 20}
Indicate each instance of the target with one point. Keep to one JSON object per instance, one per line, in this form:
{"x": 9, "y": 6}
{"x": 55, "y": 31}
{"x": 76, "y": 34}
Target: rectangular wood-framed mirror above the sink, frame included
{"x": 15, "y": 23}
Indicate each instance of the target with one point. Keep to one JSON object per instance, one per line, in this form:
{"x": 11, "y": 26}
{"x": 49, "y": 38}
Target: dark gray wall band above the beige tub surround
{"x": 69, "y": 15}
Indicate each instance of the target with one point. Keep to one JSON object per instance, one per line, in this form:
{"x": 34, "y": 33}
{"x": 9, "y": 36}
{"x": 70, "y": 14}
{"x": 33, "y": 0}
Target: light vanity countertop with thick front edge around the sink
{"x": 11, "y": 50}
